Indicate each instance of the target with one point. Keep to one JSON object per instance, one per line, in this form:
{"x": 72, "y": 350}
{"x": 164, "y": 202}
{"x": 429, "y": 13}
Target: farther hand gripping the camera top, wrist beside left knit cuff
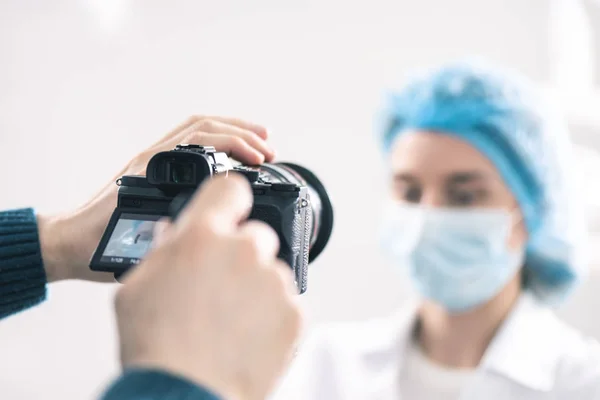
{"x": 69, "y": 240}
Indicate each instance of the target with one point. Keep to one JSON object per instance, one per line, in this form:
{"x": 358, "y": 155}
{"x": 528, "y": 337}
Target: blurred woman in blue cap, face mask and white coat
{"x": 483, "y": 219}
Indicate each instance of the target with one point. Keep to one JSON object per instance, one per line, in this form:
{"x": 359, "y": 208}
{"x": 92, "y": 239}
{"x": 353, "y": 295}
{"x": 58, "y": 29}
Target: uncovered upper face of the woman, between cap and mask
{"x": 438, "y": 170}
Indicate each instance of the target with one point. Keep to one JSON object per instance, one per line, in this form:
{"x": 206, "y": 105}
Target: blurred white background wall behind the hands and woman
{"x": 86, "y": 84}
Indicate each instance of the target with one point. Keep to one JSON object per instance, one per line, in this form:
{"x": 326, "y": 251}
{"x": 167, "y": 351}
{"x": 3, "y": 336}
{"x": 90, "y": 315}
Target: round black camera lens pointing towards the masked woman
{"x": 322, "y": 210}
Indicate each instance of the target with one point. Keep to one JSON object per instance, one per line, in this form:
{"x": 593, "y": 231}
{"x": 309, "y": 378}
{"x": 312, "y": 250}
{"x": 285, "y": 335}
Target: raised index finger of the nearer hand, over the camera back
{"x": 222, "y": 202}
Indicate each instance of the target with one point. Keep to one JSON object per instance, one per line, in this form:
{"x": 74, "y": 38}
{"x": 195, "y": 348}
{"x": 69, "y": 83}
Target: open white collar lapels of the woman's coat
{"x": 525, "y": 350}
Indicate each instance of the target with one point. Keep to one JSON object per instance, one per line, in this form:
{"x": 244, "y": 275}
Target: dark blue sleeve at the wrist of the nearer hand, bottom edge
{"x": 141, "y": 384}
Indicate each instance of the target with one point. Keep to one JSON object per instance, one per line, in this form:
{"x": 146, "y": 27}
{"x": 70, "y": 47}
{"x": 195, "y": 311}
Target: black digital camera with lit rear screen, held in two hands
{"x": 286, "y": 196}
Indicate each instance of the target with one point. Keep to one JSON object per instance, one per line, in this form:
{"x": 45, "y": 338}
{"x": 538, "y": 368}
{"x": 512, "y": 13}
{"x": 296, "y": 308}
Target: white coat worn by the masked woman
{"x": 533, "y": 356}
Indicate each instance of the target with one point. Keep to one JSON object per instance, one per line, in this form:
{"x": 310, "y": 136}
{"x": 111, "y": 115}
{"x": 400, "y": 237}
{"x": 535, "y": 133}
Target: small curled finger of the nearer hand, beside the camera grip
{"x": 262, "y": 240}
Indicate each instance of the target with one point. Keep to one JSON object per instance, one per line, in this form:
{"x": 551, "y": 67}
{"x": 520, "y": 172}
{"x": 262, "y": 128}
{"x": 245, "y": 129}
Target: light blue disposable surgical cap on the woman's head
{"x": 500, "y": 114}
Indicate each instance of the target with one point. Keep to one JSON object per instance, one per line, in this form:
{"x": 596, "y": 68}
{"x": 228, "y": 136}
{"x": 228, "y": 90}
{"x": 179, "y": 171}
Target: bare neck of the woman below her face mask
{"x": 460, "y": 340}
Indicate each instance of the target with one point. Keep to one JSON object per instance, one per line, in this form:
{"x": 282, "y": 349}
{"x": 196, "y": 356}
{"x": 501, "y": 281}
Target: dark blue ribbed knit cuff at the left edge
{"x": 22, "y": 274}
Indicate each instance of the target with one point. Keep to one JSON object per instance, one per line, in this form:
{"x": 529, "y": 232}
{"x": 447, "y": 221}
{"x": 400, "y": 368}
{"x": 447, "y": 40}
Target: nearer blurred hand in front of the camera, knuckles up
{"x": 212, "y": 303}
